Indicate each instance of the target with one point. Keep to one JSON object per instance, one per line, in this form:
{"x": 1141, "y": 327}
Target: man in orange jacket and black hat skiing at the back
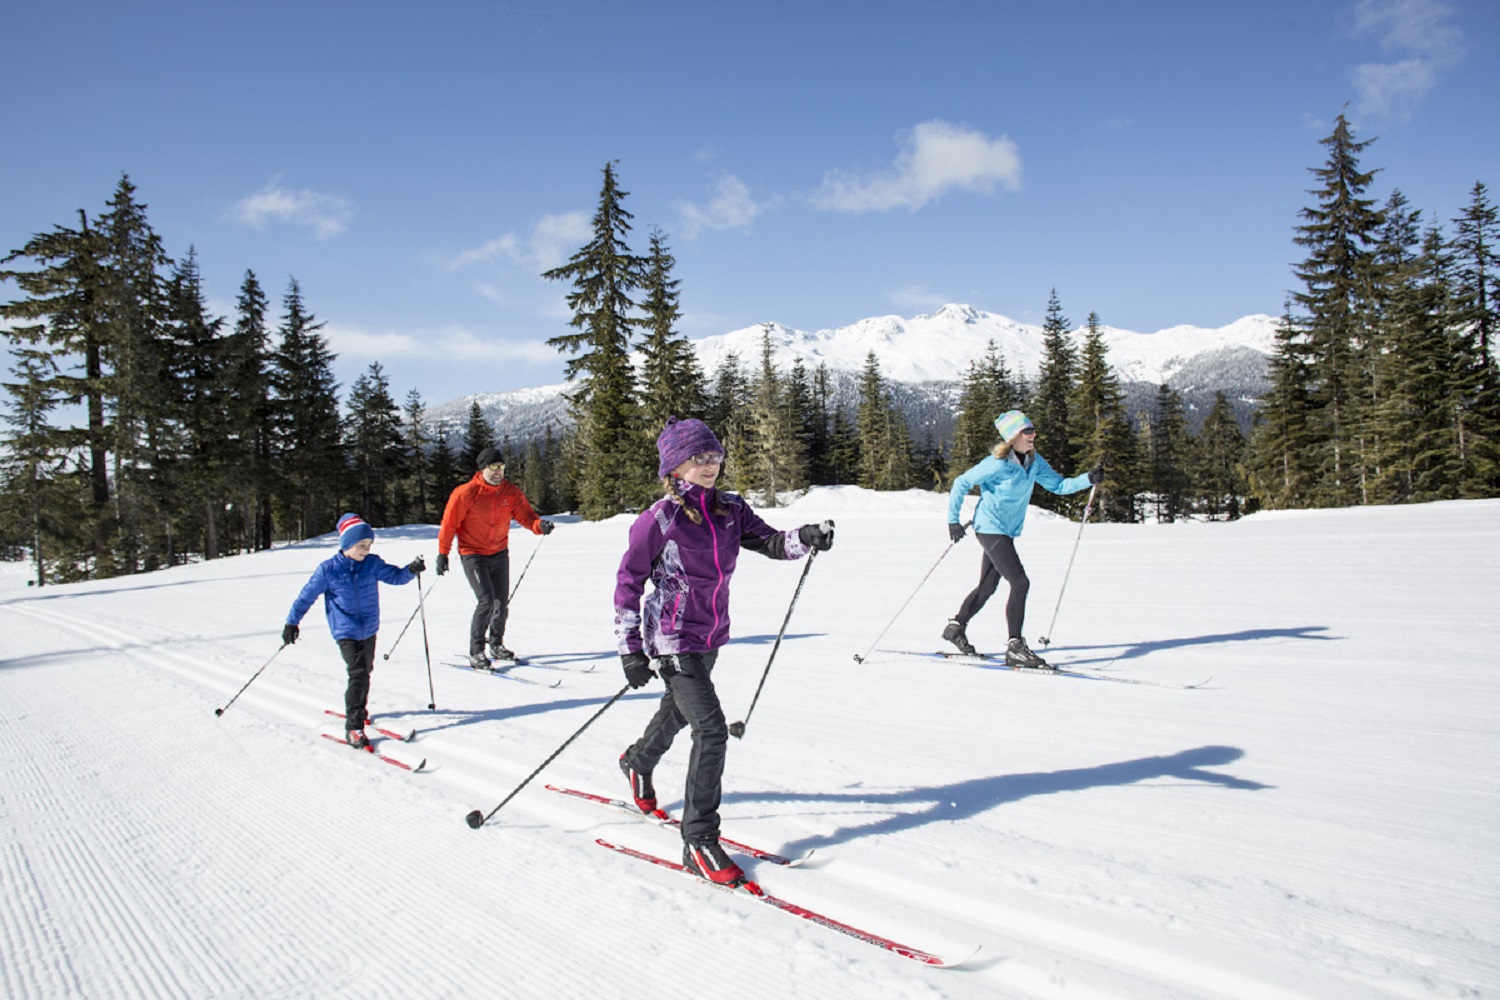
{"x": 479, "y": 515}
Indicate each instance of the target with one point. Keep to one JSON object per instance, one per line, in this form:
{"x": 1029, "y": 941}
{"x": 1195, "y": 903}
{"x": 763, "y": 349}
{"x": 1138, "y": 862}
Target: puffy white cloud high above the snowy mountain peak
{"x": 938, "y": 158}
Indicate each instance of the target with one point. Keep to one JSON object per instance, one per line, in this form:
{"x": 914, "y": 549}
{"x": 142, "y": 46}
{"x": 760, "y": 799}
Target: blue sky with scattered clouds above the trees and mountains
{"x": 416, "y": 167}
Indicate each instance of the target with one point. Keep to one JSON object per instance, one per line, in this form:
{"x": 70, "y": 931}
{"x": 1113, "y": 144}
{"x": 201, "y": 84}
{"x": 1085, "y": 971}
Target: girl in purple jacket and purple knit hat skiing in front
{"x": 688, "y": 545}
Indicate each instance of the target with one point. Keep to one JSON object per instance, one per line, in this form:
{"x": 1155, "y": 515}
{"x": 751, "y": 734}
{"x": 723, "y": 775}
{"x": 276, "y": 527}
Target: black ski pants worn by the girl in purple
{"x": 689, "y": 701}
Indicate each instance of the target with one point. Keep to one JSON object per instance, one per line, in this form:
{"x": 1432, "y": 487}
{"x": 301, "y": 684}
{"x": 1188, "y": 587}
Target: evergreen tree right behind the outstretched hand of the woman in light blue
{"x": 1100, "y": 431}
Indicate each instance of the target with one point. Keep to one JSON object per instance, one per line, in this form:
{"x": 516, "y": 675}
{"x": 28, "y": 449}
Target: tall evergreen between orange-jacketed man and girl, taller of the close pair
{"x": 611, "y": 442}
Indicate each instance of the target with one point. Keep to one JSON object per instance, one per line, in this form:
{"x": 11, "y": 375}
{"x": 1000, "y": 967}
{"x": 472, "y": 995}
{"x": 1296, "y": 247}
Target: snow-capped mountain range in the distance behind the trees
{"x": 925, "y": 361}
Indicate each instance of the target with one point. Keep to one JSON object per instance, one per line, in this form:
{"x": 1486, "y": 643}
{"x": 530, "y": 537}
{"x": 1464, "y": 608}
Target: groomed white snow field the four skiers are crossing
{"x": 1318, "y": 822}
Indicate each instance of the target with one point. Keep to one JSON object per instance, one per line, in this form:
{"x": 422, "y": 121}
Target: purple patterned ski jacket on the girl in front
{"x": 689, "y": 567}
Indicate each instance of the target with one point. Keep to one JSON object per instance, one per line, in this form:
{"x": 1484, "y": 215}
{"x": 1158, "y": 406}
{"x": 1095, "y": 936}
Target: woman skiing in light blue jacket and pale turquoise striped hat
{"x": 1006, "y": 484}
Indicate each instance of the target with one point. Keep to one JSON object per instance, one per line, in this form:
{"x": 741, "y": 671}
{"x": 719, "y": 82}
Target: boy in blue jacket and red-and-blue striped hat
{"x": 349, "y": 585}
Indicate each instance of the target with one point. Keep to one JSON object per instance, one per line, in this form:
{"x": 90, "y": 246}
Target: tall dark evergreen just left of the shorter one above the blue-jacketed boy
{"x": 307, "y": 421}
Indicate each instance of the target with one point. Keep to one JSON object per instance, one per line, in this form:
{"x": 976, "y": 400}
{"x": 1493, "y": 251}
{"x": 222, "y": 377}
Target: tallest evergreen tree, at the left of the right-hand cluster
{"x": 1339, "y": 280}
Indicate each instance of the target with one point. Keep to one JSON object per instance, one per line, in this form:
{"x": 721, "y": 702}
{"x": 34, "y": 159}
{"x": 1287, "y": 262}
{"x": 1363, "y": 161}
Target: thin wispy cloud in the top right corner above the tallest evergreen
{"x": 1420, "y": 31}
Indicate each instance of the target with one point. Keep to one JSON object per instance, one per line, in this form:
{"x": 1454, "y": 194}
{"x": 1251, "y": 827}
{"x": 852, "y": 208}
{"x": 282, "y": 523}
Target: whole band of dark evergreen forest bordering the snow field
{"x": 197, "y": 437}
